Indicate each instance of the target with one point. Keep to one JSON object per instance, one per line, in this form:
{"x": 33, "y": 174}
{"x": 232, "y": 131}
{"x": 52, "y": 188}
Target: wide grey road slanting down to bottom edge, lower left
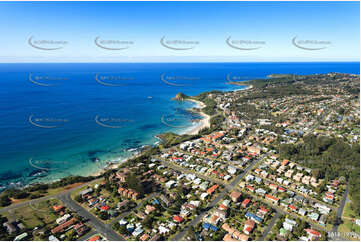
{"x": 99, "y": 226}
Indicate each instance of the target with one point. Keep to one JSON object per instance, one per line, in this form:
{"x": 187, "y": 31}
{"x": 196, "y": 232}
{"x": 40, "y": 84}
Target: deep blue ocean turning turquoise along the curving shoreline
{"x": 70, "y": 119}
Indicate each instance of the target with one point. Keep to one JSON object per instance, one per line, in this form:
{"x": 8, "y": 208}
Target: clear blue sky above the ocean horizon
{"x": 179, "y": 31}
